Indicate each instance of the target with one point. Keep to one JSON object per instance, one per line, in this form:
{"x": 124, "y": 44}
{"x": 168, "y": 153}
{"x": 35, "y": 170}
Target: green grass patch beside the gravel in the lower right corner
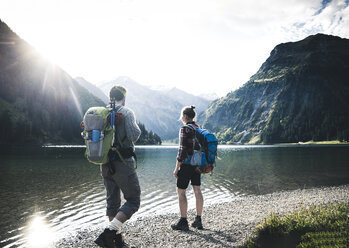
{"x": 317, "y": 226}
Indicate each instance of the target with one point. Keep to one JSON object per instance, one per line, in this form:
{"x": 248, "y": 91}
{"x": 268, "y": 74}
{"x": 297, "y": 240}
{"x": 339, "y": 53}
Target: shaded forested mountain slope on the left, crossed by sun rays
{"x": 39, "y": 102}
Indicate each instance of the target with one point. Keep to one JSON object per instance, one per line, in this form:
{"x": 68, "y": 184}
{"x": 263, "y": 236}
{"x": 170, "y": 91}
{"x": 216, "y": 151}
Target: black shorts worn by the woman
{"x": 188, "y": 173}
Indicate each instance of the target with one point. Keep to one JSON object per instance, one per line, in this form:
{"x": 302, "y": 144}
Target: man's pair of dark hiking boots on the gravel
{"x": 109, "y": 239}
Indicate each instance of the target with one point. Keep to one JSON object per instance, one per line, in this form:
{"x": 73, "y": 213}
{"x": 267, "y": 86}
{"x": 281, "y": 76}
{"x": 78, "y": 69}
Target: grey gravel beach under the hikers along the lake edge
{"x": 225, "y": 225}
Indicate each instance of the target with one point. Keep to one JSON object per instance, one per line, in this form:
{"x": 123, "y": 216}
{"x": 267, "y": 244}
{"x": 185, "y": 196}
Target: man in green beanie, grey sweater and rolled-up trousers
{"x": 119, "y": 173}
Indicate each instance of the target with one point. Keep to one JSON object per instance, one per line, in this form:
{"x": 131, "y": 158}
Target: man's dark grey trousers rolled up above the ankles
{"x": 124, "y": 179}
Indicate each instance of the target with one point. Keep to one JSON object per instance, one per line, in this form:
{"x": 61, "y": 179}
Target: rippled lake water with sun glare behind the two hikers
{"x": 46, "y": 193}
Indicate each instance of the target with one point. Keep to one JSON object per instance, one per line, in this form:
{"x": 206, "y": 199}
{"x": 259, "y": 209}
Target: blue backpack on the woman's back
{"x": 205, "y": 158}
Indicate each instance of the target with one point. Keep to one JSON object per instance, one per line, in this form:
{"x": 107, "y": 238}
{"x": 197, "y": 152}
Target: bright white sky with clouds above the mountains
{"x": 200, "y": 46}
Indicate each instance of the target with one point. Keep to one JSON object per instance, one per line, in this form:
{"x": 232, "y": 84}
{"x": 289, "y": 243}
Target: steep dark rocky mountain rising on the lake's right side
{"x": 300, "y": 93}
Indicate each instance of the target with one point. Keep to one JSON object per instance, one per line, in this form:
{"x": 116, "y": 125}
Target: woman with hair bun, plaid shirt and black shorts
{"x": 185, "y": 173}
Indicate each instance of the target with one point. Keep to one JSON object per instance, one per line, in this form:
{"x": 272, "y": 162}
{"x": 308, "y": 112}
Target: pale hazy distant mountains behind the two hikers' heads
{"x": 159, "y": 111}
